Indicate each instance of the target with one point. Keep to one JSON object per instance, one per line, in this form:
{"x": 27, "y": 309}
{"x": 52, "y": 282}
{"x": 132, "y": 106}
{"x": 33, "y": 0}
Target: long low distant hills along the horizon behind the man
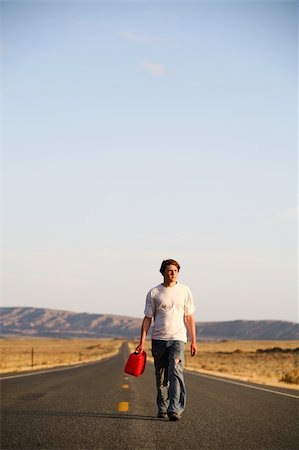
{"x": 40, "y": 322}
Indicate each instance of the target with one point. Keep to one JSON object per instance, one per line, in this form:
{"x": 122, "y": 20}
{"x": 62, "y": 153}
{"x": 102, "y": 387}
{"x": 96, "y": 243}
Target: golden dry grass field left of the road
{"x": 16, "y": 354}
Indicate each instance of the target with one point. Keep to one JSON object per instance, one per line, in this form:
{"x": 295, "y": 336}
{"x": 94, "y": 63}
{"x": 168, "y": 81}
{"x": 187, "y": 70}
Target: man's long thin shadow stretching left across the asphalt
{"x": 83, "y": 415}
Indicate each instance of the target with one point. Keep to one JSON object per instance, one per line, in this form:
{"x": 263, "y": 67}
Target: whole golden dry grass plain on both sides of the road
{"x": 273, "y": 363}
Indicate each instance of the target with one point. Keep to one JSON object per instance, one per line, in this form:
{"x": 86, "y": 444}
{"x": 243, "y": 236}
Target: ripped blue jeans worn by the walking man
{"x": 169, "y": 364}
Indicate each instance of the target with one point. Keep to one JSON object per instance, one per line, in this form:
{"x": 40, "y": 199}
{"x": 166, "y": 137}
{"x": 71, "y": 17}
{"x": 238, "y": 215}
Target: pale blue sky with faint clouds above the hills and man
{"x": 139, "y": 131}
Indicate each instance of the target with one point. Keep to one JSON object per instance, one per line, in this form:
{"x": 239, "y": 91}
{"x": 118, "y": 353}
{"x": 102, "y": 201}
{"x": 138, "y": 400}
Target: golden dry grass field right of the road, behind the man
{"x": 253, "y": 361}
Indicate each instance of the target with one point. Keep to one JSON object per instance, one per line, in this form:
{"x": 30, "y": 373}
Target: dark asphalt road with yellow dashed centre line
{"x": 78, "y": 408}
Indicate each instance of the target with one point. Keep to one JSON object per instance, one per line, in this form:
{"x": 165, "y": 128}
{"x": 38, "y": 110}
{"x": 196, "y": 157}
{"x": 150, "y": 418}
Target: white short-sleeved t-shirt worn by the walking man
{"x": 168, "y": 306}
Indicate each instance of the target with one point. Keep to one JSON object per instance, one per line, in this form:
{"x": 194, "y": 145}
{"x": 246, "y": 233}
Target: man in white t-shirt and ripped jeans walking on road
{"x": 170, "y": 304}
